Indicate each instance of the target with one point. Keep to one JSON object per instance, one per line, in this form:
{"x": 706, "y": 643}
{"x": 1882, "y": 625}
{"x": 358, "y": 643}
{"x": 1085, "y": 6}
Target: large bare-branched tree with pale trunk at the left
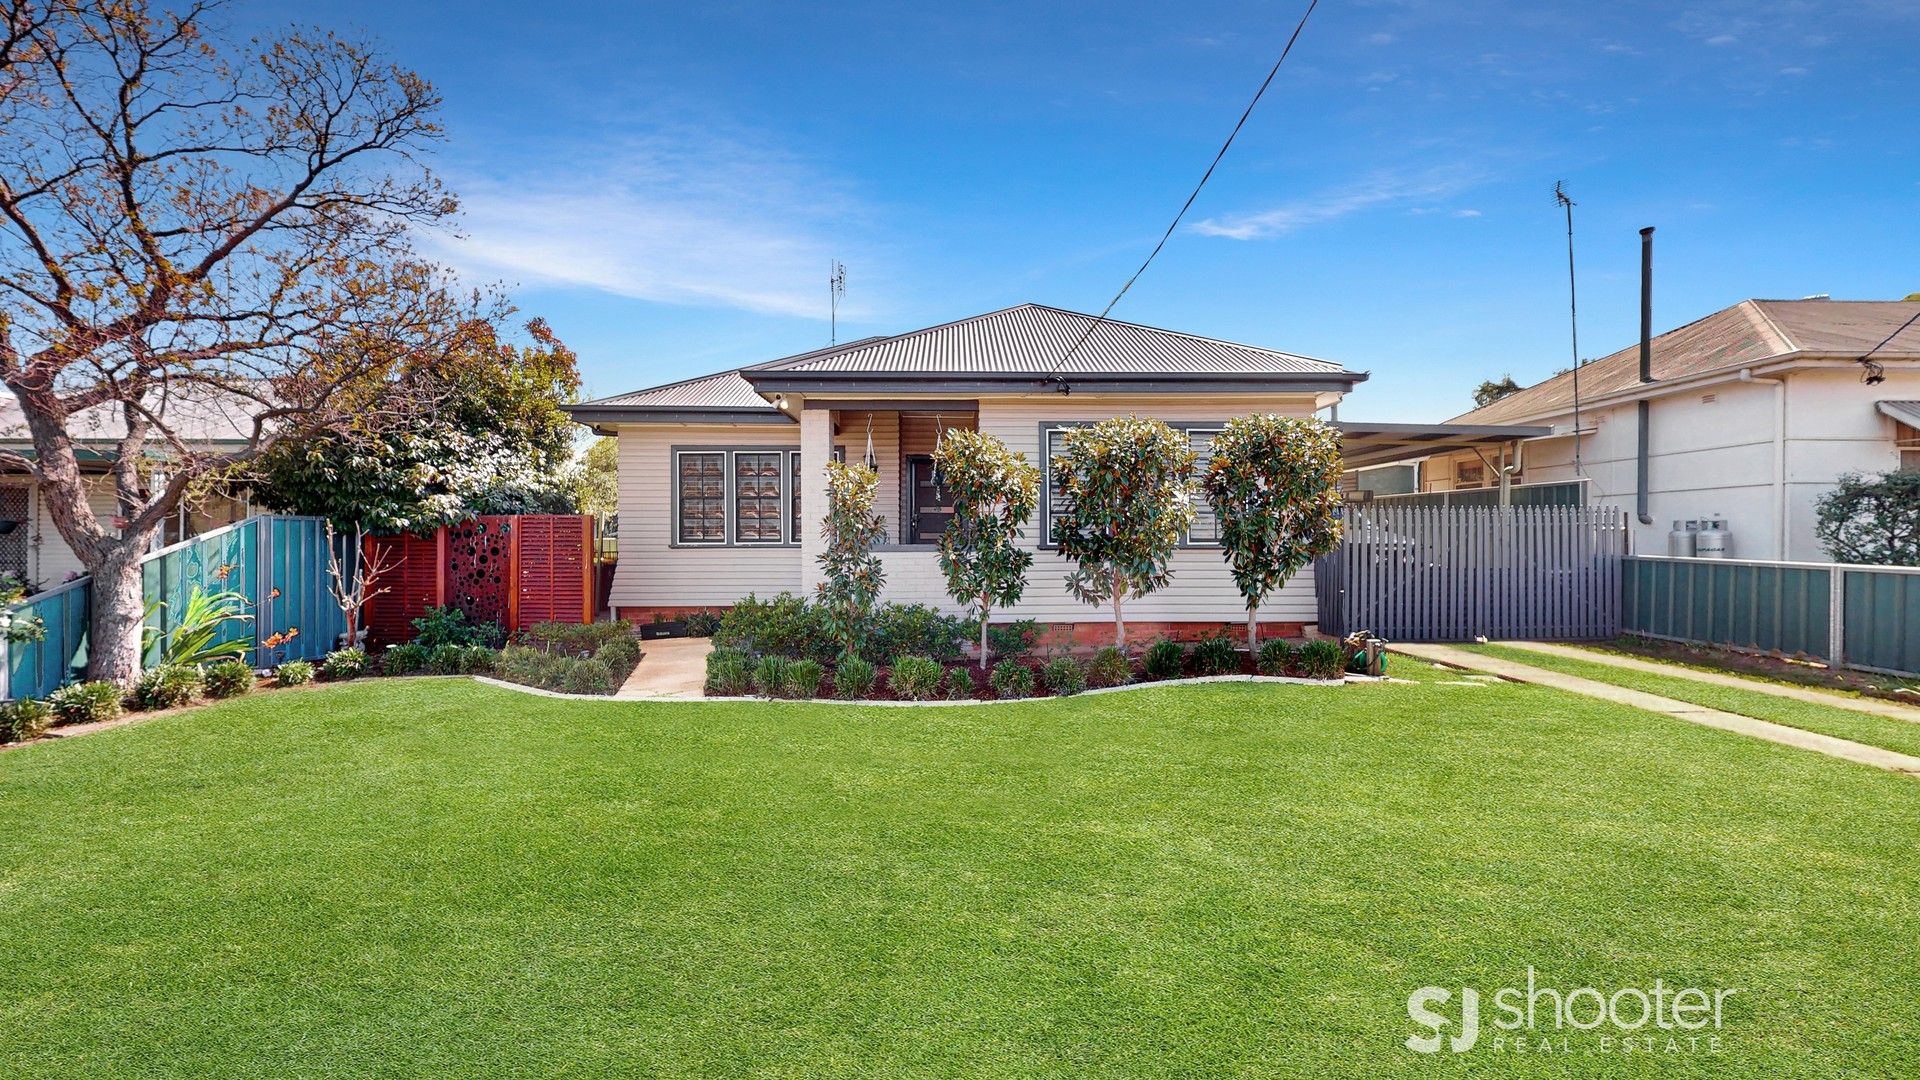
{"x": 191, "y": 224}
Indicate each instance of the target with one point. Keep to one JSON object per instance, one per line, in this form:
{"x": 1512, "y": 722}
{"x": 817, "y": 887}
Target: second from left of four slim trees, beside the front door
{"x": 994, "y": 493}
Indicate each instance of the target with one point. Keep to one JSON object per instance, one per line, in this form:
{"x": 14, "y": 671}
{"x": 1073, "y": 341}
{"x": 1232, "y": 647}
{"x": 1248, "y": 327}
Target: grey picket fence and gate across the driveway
{"x": 1452, "y": 574}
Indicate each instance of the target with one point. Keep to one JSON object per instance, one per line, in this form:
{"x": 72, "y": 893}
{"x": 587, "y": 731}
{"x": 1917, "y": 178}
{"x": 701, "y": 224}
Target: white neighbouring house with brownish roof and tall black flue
{"x": 1750, "y": 418}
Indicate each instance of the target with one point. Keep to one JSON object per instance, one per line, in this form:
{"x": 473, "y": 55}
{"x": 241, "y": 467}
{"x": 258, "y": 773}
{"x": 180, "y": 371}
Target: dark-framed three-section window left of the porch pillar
{"x": 736, "y": 497}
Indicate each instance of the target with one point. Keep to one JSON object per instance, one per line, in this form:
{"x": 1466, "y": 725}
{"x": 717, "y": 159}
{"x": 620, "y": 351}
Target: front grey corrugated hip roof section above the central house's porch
{"x": 1034, "y": 339}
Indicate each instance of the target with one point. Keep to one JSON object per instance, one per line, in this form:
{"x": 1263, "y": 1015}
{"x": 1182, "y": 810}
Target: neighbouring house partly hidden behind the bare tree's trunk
{"x": 32, "y": 547}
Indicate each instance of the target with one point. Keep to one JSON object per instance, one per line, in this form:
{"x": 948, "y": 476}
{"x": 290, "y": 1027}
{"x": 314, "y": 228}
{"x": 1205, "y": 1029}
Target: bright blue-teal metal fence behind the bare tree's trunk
{"x": 279, "y": 564}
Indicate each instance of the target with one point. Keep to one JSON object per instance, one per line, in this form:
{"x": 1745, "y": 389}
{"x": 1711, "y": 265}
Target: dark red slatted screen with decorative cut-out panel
{"x": 510, "y": 570}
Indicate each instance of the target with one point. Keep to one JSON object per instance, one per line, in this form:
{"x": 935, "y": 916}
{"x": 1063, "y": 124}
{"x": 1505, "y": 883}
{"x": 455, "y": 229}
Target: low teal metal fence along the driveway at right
{"x": 1838, "y": 614}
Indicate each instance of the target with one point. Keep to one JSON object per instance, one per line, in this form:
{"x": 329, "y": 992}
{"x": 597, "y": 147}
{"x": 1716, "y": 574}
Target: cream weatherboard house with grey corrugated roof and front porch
{"x": 721, "y": 476}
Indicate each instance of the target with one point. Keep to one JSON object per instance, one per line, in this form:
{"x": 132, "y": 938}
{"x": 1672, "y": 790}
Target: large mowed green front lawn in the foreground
{"x": 444, "y": 879}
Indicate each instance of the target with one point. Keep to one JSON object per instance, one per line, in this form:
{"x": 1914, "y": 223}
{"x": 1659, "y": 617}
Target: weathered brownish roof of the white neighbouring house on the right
{"x": 1752, "y": 331}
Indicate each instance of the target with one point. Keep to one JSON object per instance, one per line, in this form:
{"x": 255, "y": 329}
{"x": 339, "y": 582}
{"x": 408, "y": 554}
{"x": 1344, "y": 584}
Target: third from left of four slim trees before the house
{"x": 1126, "y": 489}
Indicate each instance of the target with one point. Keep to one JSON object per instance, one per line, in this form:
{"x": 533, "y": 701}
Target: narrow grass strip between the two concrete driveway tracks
{"x": 1835, "y": 720}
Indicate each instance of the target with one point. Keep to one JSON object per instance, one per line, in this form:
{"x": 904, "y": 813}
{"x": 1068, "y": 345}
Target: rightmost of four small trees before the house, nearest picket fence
{"x": 1276, "y": 487}
